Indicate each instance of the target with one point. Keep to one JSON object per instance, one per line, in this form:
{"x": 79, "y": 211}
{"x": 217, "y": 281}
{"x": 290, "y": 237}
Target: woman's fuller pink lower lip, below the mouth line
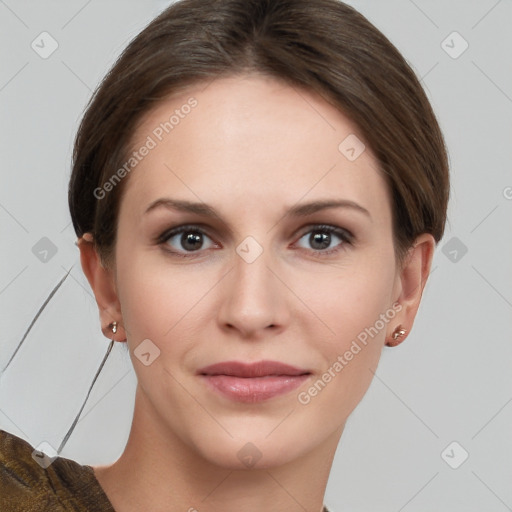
{"x": 252, "y": 390}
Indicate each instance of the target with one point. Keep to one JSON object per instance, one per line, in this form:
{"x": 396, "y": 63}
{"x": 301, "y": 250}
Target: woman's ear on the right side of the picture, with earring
{"x": 411, "y": 280}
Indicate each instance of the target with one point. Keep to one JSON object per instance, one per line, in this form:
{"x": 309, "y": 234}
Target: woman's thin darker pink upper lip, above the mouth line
{"x": 258, "y": 369}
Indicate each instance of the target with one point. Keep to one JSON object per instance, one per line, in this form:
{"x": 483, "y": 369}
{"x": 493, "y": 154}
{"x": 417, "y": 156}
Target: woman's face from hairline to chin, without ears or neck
{"x": 256, "y": 274}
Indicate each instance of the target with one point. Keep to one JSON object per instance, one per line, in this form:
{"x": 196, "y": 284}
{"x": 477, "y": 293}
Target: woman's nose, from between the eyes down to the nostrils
{"x": 253, "y": 299}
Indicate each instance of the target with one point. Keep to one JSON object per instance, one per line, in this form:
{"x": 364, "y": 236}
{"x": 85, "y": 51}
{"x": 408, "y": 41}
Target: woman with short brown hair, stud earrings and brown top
{"x": 257, "y": 191}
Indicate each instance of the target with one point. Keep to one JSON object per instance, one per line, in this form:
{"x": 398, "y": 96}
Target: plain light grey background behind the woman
{"x": 450, "y": 381}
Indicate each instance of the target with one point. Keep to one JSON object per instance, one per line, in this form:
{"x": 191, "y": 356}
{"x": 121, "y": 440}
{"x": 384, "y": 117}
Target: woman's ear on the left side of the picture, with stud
{"x": 103, "y": 285}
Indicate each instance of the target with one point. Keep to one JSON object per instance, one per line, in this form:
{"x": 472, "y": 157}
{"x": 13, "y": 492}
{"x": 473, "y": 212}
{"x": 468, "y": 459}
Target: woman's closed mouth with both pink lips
{"x": 252, "y": 383}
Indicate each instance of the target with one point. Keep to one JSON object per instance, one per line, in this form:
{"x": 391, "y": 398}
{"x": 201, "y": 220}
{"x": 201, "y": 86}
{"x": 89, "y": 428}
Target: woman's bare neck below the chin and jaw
{"x": 158, "y": 471}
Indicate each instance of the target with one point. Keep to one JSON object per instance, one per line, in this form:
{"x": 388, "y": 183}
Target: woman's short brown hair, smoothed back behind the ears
{"x": 324, "y": 46}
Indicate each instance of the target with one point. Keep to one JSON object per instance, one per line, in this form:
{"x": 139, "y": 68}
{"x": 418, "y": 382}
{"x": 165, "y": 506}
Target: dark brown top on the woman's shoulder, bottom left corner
{"x": 26, "y": 485}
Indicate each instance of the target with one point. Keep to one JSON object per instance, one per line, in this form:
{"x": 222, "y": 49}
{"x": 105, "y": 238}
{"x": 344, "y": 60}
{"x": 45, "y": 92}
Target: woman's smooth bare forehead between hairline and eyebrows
{"x": 253, "y": 140}
